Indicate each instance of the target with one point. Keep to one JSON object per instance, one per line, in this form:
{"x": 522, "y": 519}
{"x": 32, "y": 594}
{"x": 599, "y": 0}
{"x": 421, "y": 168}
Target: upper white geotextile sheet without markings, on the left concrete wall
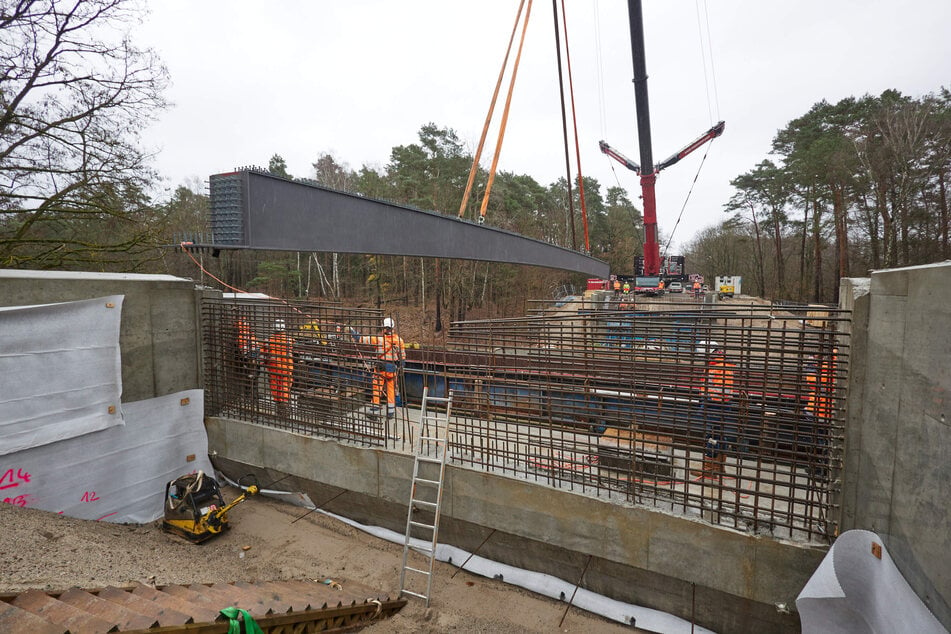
{"x": 60, "y": 371}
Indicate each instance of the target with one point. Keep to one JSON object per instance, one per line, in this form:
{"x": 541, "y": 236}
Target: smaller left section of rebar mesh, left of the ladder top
{"x": 322, "y": 383}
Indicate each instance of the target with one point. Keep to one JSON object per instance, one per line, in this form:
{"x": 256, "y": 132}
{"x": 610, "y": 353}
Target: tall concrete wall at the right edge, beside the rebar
{"x": 897, "y": 477}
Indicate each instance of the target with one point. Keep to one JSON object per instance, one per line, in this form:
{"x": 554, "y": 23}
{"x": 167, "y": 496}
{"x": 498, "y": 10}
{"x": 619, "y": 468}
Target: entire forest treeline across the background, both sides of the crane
{"x": 848, "y": 187}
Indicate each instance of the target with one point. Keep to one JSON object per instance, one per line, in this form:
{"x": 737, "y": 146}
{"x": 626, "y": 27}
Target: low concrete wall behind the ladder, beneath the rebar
{"x": 725, "y": 580}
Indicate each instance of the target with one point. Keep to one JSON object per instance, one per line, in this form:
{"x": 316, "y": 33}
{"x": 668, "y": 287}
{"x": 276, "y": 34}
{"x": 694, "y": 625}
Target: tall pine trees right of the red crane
{"x": 849, "y": 187}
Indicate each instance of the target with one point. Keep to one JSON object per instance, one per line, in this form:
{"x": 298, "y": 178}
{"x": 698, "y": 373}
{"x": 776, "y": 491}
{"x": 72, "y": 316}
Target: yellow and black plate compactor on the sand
{"x": 195, "y": 509}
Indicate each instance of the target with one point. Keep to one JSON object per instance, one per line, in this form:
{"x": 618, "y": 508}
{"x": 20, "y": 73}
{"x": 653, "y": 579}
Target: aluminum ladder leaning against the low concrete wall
{"x": 430, "y": 450}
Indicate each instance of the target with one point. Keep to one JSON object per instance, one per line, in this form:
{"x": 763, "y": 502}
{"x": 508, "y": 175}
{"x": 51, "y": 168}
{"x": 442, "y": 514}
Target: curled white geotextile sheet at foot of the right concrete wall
{"x": 853, "y": 590}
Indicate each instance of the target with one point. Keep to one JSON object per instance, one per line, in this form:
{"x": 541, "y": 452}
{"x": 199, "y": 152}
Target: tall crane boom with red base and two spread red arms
{"x": 647, "y": 170}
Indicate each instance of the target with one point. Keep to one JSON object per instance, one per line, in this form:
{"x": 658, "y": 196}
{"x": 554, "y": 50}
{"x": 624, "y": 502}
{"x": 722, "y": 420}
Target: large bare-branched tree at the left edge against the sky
{"x": 74, "y": 92}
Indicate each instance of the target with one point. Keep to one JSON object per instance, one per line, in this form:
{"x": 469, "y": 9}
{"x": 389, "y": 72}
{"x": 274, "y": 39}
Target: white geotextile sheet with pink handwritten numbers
{"x": 117, "y": 474}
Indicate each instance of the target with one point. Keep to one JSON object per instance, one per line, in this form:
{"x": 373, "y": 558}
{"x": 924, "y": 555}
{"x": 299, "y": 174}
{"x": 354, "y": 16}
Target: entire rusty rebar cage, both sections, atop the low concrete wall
{"x": 727, "y": 412}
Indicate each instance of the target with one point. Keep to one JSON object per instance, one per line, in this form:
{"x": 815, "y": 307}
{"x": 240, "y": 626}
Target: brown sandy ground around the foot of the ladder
{"x": 53, "y": 552}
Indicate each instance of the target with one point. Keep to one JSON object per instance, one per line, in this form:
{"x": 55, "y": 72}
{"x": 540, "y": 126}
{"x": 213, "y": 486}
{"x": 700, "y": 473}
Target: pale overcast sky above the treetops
{"x": 354, "y": 79}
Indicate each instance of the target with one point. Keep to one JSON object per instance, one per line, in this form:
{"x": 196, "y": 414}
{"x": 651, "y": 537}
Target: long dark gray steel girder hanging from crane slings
{"x": 256, "y": 210}
